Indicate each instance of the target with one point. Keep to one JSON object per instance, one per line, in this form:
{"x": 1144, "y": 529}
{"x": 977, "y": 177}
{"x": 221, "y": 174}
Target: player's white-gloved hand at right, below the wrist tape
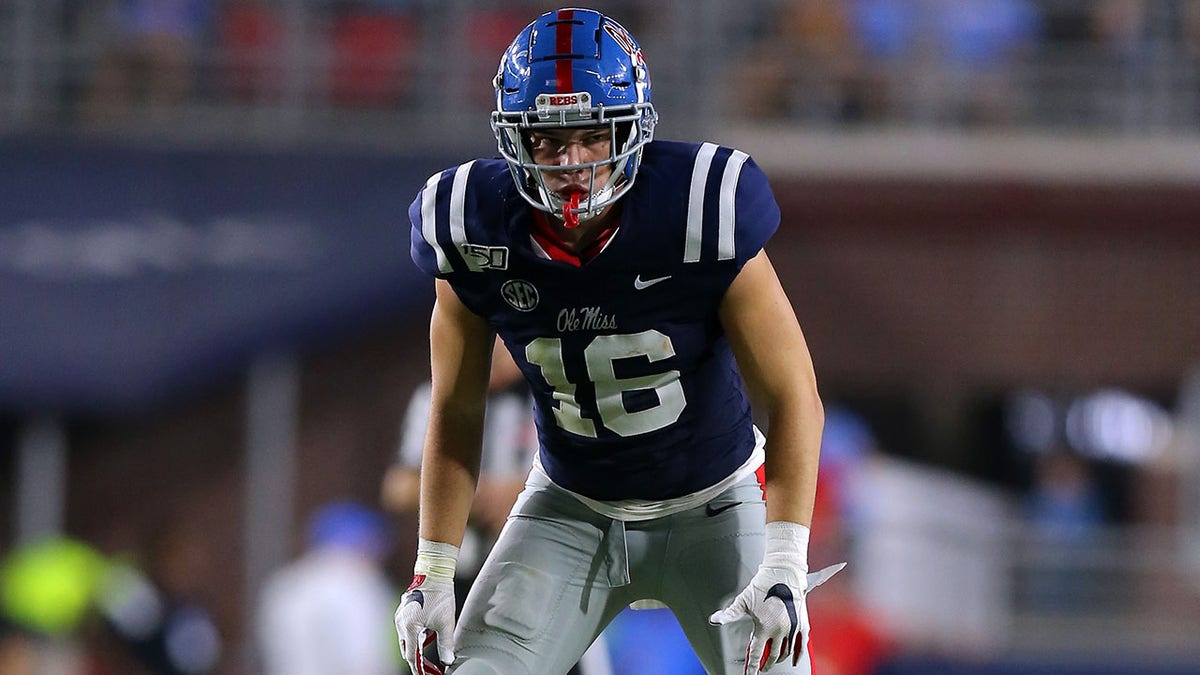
{"x": 775, "y": 600}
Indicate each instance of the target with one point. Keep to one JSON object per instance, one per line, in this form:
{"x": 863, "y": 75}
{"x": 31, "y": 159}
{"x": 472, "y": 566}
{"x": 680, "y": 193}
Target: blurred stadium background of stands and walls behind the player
{"x": 211, "y": 327}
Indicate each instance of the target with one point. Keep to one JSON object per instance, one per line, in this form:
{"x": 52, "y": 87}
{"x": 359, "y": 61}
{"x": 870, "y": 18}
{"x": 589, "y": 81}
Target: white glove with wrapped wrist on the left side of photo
{"x": 427, "y": 610}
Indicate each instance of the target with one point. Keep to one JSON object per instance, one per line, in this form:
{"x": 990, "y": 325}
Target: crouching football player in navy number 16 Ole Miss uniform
{"x": 629, "y": 283}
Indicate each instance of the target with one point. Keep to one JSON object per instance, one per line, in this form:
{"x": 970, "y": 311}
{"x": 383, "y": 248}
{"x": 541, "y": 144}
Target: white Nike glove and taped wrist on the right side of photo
{"x": 775, "y": 600}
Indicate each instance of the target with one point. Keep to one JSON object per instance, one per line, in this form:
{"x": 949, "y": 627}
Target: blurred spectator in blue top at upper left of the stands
{"x": 151, "y": 58}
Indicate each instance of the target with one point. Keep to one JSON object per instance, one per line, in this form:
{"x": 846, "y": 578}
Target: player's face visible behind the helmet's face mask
{"x": 567, "y": 147}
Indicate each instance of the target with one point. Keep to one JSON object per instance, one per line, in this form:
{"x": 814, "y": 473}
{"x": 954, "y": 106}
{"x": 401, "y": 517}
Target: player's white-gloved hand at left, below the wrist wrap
{"x": 427, "y": 614}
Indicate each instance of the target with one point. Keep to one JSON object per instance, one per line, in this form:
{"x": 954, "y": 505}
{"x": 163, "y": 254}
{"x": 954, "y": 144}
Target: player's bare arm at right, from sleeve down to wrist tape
{"x": 778, "y": 371}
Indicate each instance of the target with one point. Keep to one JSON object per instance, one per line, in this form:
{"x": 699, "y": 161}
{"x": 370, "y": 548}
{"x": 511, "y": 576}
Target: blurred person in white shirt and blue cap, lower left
{"x": 329, "y": 613}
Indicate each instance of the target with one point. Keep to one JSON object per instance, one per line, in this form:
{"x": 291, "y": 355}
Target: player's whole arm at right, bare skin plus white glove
{"x": 778, "y": 371}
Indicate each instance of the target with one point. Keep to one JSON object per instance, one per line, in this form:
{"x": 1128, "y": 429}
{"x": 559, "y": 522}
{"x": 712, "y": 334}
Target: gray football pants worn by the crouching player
{"x": 560, "y": 574}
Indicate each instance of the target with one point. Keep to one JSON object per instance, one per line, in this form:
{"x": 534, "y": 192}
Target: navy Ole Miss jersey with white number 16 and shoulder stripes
{"x": 635, "y": 387}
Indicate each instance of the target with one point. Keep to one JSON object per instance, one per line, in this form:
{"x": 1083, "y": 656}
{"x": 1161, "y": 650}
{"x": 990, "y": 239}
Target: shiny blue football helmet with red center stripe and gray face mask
{"x": 574, "y": 69}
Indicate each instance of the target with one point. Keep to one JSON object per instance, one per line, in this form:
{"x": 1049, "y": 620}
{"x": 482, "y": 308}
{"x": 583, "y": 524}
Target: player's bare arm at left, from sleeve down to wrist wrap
{"x": 461, "y": 353}
